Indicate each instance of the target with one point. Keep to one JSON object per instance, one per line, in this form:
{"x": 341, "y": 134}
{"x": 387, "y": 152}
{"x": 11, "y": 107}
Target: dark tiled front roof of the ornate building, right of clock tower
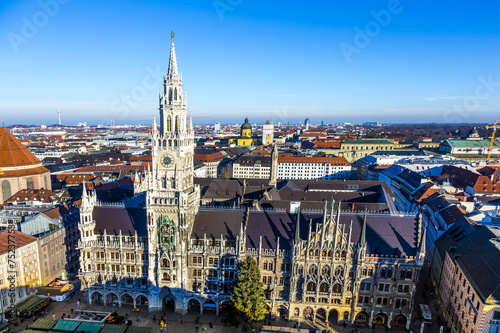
{"x": 386, "y": 235}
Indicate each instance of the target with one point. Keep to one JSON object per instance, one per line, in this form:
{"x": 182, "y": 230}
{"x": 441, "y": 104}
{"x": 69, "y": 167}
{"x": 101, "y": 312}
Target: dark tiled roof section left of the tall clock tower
{"x": 114, "y": 219}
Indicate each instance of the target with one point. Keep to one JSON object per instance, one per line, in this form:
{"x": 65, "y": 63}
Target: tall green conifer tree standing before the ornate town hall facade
{"x": 247, "y": 297}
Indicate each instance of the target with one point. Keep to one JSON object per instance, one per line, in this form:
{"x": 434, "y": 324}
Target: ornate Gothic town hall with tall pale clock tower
{"x": 329, "y": 251}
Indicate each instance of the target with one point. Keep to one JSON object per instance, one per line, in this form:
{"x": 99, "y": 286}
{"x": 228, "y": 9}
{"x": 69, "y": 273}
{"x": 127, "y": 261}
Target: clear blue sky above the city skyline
{"x": 421, "y": 61}
